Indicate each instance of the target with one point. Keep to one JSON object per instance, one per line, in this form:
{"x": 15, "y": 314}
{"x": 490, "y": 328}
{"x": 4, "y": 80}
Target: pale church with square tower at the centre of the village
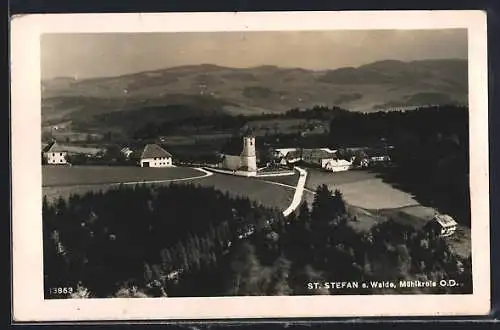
{"x": 243, "y": 160}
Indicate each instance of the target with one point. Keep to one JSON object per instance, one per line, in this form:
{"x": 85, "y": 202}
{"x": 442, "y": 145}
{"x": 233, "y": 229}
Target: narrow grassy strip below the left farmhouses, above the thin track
{"x": 53, "y": 176}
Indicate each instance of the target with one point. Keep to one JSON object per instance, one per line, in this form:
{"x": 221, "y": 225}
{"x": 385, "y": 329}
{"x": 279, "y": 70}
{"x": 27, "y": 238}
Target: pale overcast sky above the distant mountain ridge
{"x": 112, "y": 54}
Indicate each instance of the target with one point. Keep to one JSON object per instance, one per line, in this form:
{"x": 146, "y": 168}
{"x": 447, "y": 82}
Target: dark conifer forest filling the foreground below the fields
{"x": 168, "y": 241}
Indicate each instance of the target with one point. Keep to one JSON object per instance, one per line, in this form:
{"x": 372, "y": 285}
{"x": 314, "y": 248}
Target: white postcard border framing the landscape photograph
{"x": 28, "y": 302}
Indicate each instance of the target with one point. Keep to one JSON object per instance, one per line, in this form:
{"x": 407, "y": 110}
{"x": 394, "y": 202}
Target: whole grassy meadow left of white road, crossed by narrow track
{"x": 65, "y": 181}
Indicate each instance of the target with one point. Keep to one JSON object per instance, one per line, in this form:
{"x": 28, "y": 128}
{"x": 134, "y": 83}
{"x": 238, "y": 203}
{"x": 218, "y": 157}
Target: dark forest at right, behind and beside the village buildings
{"x": 430, "y": 154}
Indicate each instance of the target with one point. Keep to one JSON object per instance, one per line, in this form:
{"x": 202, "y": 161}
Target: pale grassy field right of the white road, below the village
{"x": 361, "y": 188}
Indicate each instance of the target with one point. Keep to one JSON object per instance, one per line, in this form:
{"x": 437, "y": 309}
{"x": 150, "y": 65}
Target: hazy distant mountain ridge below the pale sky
{"x": 265, "y": 88}
